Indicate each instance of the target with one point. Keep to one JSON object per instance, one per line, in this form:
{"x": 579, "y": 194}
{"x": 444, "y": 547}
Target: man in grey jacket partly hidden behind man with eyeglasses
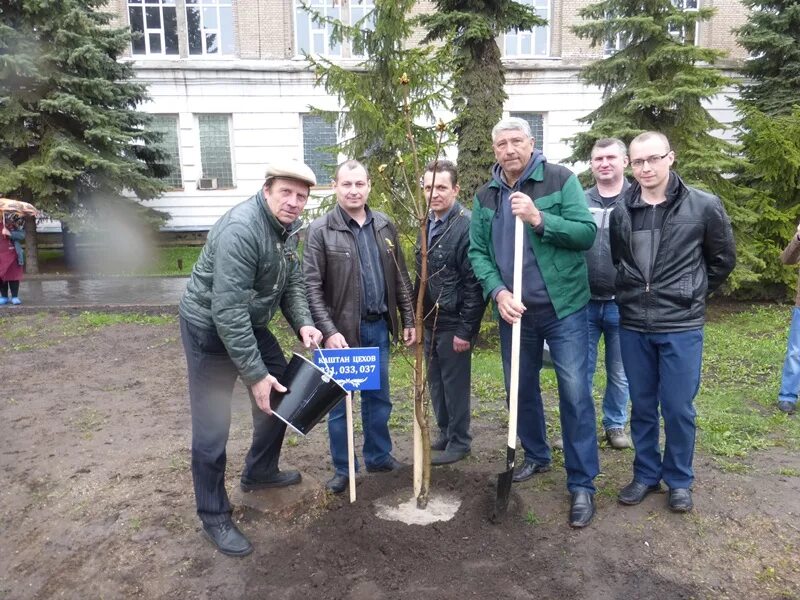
{"x": 608, "y": 161}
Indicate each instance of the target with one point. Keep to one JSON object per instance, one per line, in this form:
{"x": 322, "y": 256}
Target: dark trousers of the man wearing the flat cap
{"x": 212, "y": 376}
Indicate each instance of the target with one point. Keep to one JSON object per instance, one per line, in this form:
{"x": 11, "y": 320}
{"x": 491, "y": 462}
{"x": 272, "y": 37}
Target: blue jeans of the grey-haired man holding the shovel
{"x": 567, "y": 339}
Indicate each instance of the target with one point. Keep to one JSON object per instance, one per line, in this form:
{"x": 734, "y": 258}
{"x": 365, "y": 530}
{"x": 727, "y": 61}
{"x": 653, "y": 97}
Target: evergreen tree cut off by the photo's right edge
{"x": 769, "y": 130}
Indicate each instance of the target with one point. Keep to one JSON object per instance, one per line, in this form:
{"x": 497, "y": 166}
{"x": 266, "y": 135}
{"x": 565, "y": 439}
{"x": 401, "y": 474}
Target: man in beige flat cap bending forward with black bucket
{"x": 248, "y": 268}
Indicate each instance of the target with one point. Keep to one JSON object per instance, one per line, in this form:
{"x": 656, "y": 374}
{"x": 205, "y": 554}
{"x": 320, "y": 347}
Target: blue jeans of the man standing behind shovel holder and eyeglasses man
{"x": 604, "y": 321}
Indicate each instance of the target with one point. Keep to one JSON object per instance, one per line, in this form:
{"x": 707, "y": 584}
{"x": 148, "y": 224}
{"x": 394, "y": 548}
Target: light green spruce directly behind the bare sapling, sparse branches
{"x": 373, "y": 126}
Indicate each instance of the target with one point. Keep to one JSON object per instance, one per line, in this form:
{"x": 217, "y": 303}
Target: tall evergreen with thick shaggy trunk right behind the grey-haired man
{"x": 470, "y": 29}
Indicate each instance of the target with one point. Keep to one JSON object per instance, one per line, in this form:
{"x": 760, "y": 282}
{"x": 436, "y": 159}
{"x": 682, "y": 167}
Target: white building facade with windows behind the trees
{"x": 231, "y": 91}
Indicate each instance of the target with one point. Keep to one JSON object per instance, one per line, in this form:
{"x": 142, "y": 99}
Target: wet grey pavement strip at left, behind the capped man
{"x": 42, "y": 293}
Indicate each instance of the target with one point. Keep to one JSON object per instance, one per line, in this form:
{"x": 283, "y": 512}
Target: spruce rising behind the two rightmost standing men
{"x": 659, "y": 81}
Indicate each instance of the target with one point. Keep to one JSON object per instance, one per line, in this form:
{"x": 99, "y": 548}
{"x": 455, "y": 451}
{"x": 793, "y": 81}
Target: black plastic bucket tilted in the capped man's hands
{"x": 311, "y": 394}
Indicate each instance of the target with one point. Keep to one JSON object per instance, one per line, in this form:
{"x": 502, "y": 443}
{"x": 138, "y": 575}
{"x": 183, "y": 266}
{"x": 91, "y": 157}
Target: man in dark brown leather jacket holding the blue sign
{"x": 357, "y": 279}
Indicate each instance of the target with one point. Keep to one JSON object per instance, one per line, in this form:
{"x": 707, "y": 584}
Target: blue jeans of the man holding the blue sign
{"x": 376, "y": 407}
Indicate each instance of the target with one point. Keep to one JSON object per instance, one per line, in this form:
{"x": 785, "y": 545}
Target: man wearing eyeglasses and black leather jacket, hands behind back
{"x": 672, "y": 246}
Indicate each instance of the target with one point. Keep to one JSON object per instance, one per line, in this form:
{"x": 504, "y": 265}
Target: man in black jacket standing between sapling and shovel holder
{"x": 453, "y": 306}
